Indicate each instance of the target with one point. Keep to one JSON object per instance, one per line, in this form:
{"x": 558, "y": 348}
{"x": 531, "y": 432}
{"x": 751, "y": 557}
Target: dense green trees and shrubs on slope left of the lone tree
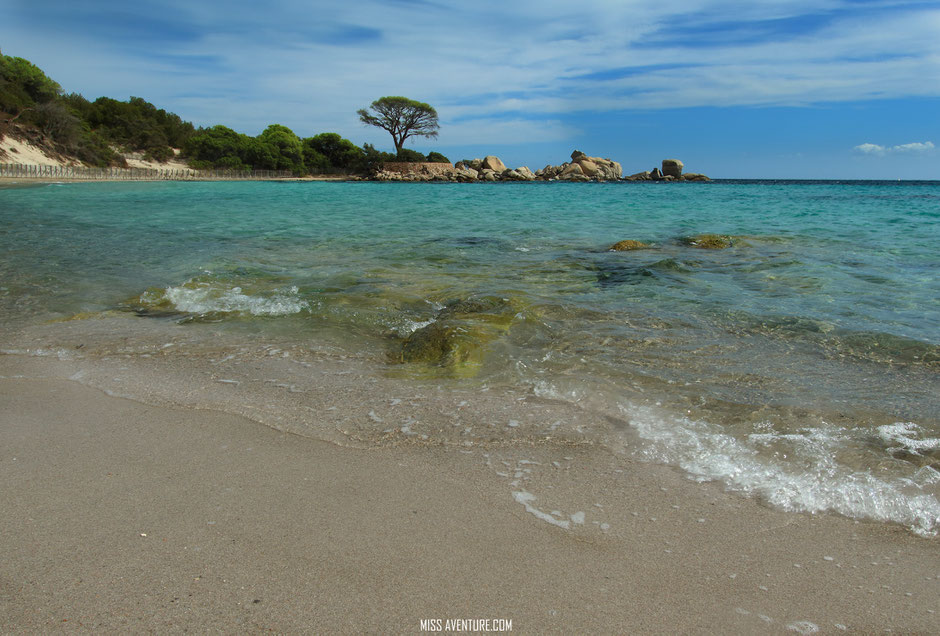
{"x": 90, "y": 130}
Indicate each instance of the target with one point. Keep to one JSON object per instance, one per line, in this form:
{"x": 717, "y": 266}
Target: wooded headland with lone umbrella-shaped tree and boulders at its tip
{"x": 100, "y": 133}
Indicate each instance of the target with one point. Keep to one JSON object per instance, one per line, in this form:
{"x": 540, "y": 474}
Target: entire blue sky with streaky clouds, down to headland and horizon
{"x": 734, "y": 88}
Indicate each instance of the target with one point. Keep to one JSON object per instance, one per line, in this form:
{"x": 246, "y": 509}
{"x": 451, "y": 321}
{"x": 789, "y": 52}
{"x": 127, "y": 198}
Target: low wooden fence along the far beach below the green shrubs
{"x": 23, "y": 171}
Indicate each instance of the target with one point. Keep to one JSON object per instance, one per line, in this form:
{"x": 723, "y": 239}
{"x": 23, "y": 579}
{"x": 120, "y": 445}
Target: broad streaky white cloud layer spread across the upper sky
{"x": 489, "y": 59}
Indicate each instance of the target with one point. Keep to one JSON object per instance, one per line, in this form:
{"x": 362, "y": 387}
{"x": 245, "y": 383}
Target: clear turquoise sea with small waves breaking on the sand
{"x": 799, "y": 364}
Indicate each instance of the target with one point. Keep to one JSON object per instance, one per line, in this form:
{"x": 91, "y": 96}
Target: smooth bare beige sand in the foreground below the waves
{"x": 117, "y": 516}
